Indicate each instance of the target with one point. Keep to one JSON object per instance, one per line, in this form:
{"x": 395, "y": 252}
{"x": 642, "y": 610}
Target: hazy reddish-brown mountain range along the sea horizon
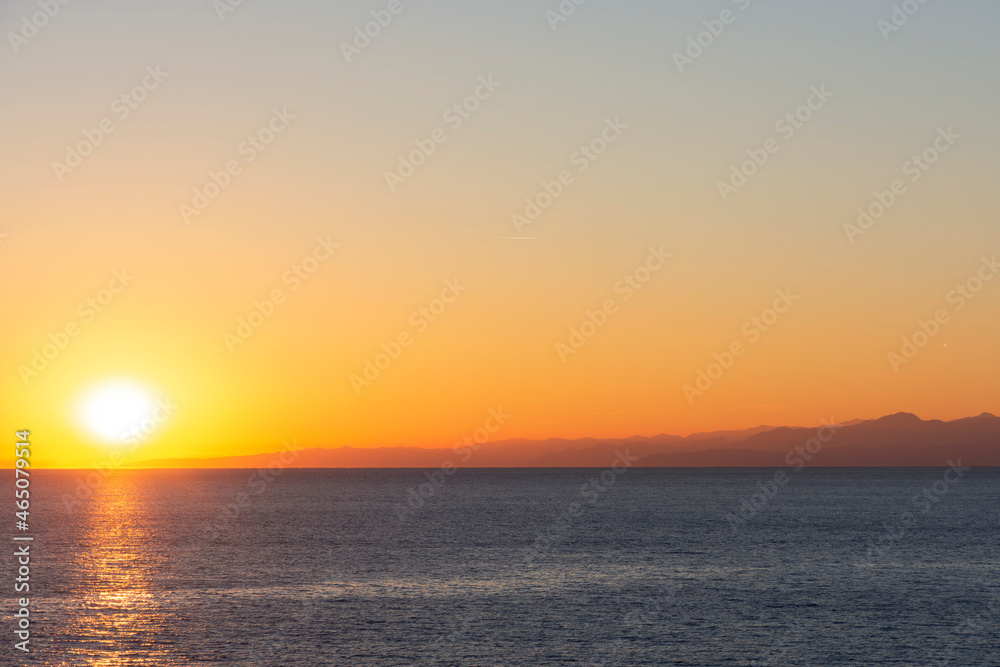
{"x": 901, "y": 439}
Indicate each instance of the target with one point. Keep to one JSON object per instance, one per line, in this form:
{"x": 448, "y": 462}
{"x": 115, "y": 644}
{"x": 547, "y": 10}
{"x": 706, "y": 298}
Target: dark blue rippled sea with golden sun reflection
{"x": 513, "y": 567}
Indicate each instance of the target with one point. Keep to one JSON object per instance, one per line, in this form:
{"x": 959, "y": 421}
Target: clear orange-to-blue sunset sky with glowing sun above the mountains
{"x": 277, "y": 228}
